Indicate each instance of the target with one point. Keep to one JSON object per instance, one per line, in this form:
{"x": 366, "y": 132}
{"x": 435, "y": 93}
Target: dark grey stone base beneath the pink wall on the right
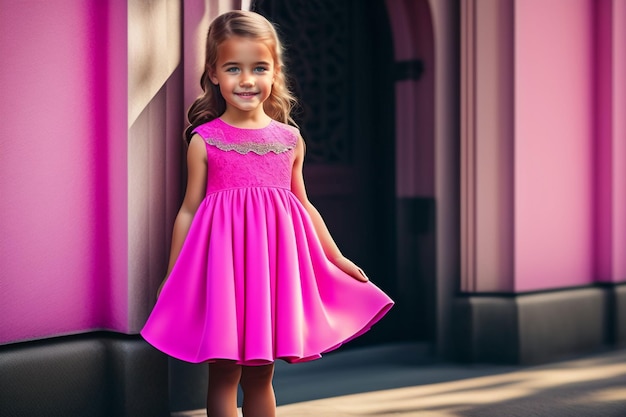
{"x": 538, "y": 327}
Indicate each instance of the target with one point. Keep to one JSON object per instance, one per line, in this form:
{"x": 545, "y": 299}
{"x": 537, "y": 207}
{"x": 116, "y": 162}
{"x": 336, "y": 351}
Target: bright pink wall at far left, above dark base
{"x": 63, "y": 245}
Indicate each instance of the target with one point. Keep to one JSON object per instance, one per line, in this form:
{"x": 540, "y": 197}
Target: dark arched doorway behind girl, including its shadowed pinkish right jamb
{"x": 348, "y": 76}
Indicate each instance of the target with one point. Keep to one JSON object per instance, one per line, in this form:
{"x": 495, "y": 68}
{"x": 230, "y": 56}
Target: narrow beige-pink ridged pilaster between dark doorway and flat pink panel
{"x": 487, "y": 143}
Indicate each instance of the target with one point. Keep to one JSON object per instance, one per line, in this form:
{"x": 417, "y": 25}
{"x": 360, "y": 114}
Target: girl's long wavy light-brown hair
{"x": 210, "y": 105}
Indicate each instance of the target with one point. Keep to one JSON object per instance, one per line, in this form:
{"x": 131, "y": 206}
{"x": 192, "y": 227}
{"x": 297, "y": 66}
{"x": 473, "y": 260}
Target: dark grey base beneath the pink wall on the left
{"x": 92, "y": 375}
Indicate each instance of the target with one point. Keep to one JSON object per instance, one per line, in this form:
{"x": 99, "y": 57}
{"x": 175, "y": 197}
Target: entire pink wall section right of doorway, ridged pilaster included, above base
{"x": 543, "y": 161}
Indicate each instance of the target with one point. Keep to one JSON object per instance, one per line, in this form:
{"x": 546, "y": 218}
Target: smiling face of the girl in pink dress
{"x": 244, "y": 72}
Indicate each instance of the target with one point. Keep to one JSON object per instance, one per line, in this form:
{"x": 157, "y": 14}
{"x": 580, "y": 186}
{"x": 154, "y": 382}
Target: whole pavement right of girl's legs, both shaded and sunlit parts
{"x": 401, "y": 381}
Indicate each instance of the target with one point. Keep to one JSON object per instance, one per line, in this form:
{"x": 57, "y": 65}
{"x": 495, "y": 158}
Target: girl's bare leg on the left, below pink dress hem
{"x": 224, "y": 378}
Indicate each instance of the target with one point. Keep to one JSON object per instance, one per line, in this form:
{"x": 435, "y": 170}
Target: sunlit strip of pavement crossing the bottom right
{"x": 590, "y": 387}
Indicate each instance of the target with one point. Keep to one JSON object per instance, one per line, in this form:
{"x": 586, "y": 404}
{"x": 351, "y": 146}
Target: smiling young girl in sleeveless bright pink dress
{"x": 254, "y": 275}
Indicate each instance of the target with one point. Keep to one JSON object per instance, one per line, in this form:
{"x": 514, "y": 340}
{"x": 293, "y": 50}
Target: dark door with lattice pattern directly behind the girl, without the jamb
{"x": 339, "y": 54}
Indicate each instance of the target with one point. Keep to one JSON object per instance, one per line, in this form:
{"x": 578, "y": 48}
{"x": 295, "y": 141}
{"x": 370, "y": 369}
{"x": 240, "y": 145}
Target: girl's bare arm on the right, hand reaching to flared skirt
{"x": 328, "y": 244}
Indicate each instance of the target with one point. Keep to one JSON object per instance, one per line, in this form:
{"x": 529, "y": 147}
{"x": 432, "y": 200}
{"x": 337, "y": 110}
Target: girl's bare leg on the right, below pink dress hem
{"x": 258, "y": 392}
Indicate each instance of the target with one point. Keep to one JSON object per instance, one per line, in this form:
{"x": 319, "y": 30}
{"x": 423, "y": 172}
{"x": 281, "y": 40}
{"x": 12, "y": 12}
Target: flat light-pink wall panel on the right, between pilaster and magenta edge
{"x": 554, "y": 116}
